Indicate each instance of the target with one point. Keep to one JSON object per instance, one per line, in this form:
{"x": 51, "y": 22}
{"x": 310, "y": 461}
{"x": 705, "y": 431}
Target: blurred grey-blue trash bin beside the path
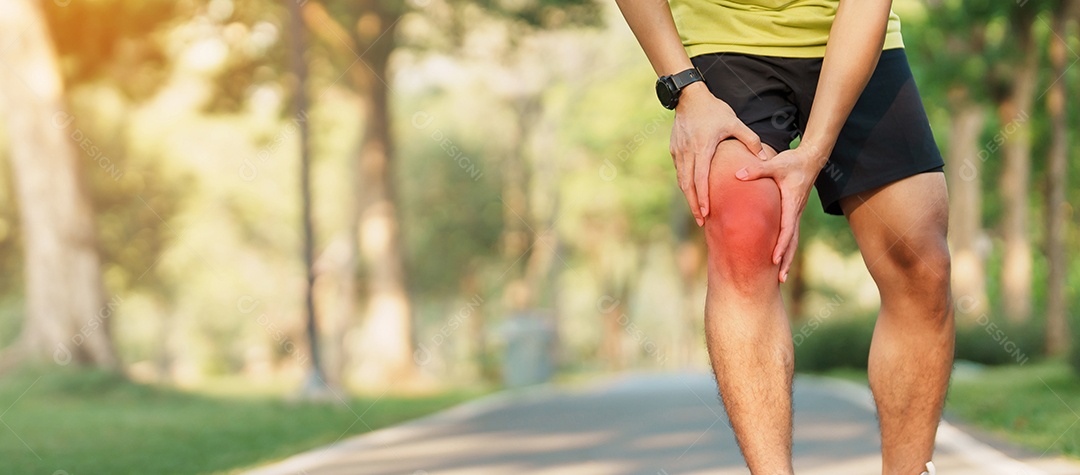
{"x": 528, "y": 357}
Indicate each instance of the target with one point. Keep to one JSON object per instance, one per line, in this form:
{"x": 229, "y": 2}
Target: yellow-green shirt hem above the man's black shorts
{"x": 787, "y": 29}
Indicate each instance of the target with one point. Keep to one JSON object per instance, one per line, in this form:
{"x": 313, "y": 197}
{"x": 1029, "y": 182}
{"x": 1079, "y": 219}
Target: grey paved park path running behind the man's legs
{"x": 656, "y": 425}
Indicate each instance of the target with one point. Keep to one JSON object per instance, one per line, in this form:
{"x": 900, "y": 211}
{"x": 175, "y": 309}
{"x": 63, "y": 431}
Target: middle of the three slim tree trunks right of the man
{"x": 1015, "y": 113}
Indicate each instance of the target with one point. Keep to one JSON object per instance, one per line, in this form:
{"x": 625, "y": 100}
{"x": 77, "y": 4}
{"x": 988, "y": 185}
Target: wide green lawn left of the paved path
{"x": 94, "y": 423}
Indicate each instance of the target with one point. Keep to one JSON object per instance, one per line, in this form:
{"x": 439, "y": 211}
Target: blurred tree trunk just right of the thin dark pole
{"x": 388, "y": 327}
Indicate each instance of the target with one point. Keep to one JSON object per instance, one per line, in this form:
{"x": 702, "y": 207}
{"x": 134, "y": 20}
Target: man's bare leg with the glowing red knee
{"x": 747, "y": 331}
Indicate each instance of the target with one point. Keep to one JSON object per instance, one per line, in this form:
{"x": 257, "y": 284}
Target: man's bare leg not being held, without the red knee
{"x": 901, "y": 233}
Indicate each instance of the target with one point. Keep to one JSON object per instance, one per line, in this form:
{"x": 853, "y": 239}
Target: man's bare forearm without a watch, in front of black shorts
{"x": 852, "y": 56}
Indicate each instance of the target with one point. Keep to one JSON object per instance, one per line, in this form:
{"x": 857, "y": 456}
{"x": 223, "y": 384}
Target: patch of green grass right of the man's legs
{"x": 1034, "y": 405}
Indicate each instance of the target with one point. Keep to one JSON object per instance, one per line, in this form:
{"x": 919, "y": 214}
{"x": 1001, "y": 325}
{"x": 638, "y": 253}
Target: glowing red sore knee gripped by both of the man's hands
{"x": 742, "y": 227}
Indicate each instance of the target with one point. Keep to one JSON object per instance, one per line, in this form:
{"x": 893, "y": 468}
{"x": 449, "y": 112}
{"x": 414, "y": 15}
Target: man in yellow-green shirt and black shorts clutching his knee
{"x": 832, "y": 73}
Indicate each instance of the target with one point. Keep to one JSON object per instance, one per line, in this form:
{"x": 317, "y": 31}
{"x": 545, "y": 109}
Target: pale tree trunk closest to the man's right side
{"x": 966, "y": 209}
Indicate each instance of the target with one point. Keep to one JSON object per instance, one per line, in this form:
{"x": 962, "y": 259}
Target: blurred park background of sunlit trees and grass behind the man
{"x": 196, "y": 193}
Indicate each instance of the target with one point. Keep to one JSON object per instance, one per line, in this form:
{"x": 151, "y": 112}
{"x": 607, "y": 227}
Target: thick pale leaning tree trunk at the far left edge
{"x": 67, "y": 318}
